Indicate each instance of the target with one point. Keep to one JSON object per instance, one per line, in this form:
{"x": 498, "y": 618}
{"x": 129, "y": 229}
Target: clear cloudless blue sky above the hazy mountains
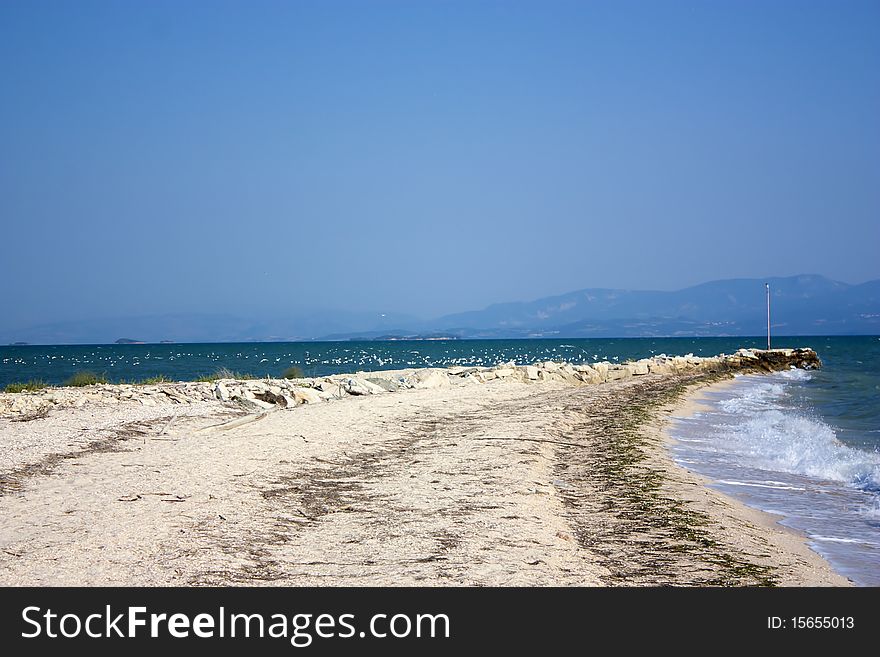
{"x": 427, "y": 157}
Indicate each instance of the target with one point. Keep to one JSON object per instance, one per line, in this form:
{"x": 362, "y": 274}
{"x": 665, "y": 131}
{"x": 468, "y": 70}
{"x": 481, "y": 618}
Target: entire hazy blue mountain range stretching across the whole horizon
{"x": 801, "y": 305}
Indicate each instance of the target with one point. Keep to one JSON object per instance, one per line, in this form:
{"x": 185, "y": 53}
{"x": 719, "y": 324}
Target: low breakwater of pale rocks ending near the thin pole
{"x": 266, "y": 394}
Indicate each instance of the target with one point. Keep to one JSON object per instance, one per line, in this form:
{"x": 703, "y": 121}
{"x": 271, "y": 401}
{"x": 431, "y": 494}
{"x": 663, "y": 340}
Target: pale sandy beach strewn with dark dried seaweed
{"x": 510, "y": 482}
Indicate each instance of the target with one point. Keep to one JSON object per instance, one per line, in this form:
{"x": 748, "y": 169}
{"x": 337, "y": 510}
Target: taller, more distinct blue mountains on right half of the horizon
{"x": 801, "y": 305}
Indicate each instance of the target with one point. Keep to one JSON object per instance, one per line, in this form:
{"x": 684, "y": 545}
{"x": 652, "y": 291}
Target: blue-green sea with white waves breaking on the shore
{"x": 804, "y": 445}
